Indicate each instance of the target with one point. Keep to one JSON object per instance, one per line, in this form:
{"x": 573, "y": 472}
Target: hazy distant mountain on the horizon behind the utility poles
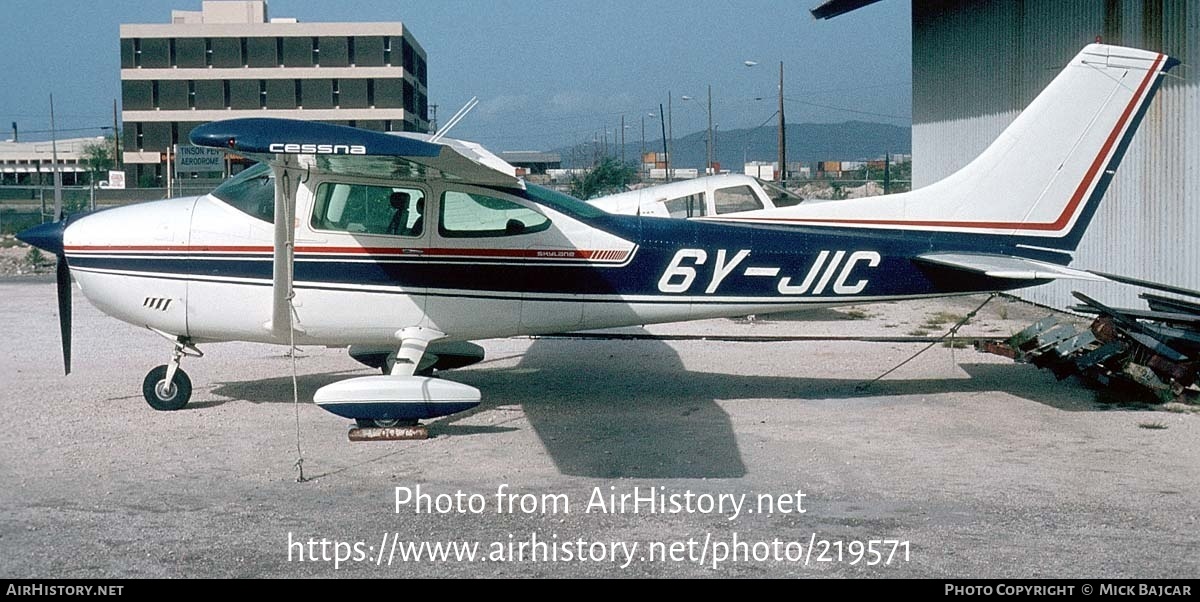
{"x": 849, "y": 141}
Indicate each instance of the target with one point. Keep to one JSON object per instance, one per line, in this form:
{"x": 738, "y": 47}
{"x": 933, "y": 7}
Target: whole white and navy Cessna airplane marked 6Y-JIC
{"x": 405, "y": 248}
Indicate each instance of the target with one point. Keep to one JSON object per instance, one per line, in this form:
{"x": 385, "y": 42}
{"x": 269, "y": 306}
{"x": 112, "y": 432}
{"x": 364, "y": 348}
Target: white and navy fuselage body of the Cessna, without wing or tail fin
{"x": 201, "y": 268}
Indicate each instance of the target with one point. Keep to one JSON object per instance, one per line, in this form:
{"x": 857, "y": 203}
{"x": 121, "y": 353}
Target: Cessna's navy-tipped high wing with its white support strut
{"x": 296, "y": 149}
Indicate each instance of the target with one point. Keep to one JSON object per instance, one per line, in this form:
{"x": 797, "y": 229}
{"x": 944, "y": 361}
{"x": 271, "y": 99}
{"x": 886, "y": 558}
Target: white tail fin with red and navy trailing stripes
{"x": 1045, "y": 176}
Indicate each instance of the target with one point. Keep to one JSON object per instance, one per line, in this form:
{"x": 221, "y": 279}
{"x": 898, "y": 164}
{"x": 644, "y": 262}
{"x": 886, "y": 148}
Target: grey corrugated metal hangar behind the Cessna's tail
{"x": 977, "y": 64}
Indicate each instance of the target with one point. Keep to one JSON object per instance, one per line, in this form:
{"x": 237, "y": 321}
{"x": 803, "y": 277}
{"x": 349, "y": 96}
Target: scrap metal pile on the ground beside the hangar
{"x": 1155, "y": 351}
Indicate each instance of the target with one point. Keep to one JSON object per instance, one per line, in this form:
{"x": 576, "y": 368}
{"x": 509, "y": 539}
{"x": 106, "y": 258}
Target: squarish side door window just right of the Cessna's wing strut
{"x": 363, "y": 209}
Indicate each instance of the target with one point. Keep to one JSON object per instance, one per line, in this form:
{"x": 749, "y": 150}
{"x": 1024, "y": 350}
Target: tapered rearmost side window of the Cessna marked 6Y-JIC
{"x": 472, "y": 215}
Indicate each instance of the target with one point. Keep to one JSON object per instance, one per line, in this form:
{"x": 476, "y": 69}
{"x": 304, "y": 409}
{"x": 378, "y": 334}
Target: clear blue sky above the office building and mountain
{"x": 547, "y": 74}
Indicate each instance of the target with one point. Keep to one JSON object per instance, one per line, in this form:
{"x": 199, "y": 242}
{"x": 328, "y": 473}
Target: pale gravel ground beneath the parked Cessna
{"x": 987, "y": 468}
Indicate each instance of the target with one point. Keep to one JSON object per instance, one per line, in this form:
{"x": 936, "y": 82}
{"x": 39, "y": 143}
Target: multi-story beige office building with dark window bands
{"x": 230, "y": 61}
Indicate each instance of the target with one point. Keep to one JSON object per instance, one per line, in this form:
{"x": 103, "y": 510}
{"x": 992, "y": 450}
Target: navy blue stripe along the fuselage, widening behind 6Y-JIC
{"x": 791, "y": 252}
